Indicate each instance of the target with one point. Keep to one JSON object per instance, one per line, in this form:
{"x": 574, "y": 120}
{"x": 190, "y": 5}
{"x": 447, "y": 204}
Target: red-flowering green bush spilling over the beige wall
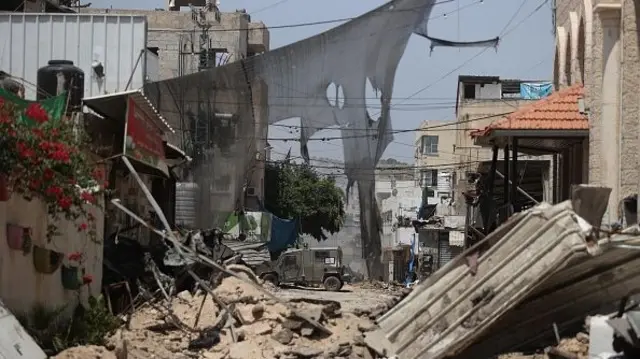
{"x": 42, "y": 156}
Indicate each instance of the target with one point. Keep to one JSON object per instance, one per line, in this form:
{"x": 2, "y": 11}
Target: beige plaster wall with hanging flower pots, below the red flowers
{"x": 21, "y": 287}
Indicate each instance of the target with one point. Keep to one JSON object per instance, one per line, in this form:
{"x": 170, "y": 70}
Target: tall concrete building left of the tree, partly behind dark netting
{"x": 235, "y": 173}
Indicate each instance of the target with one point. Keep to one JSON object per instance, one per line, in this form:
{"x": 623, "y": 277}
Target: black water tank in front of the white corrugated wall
{"x": 62, "y": 74}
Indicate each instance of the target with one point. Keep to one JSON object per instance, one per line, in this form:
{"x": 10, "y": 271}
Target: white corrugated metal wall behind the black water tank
{"x": 29, "y": 41}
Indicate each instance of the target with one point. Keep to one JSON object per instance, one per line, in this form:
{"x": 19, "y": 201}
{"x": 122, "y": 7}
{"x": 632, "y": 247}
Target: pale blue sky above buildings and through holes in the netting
{"x": 526, "y": 51}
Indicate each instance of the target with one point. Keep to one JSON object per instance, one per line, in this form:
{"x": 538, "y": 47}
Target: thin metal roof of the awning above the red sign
{"x": 114, "y": 106}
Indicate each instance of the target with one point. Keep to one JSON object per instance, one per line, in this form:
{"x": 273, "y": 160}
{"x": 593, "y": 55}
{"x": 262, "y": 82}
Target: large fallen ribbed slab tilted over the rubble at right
{"x": 537, "y": 273}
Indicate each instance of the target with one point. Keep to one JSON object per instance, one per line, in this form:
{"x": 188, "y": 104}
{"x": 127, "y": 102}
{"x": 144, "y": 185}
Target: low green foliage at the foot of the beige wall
{"x": 54, "y": 331}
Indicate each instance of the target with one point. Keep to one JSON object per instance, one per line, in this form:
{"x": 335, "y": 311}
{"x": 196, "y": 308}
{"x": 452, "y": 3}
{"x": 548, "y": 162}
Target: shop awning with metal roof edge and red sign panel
{"x": 144, "y": 128}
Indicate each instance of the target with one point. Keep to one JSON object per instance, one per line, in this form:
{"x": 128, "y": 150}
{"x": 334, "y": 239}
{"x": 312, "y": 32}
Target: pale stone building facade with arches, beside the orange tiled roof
{"x": 597, "y": 44}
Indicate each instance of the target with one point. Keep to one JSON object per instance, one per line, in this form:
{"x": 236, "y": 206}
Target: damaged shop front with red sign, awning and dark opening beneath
{"x": 129, "y": 129}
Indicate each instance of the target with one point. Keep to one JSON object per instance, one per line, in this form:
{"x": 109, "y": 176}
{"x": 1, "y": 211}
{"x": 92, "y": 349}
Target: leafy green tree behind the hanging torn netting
{"x": 297, "y": 191}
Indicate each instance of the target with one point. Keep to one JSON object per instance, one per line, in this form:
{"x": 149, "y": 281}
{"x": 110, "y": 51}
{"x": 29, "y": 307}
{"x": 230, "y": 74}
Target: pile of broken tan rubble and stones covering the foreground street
{"x": 190, "y": 326}
